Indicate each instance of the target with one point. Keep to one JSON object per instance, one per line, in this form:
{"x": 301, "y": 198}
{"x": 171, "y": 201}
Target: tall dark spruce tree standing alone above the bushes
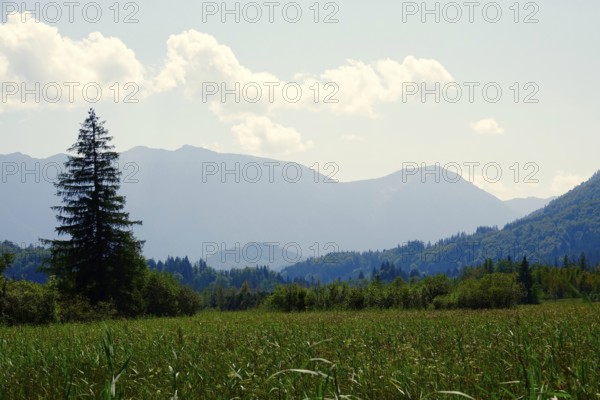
{"x": 101, "y": 259}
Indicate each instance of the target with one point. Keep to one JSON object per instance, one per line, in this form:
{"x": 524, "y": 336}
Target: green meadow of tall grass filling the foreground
{"x": 535, "y": 352}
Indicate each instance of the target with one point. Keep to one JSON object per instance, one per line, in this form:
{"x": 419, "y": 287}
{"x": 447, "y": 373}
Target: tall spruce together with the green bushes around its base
{"x": 98, "y": 271}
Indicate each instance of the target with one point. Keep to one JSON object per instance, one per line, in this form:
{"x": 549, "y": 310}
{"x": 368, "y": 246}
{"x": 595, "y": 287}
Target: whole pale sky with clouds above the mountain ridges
{"x": 504, "y": 93}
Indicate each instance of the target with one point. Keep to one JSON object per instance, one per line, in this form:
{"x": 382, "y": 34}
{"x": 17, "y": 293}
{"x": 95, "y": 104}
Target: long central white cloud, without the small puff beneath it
{"x": 196, "y": 60}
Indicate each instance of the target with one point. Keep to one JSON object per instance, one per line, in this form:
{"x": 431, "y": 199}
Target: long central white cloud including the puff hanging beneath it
{"x": 197, "y": 62}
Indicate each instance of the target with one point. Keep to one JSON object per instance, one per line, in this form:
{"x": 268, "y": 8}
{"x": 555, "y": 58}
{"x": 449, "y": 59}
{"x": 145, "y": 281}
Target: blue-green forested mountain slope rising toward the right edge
{"x": 567, "y": 226}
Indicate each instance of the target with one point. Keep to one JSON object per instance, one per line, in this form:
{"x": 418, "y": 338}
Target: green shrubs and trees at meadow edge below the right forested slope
{"x": 501, "y": 285}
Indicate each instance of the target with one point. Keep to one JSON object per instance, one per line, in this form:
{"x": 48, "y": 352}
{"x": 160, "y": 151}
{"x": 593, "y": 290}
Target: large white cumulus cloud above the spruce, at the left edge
{"x": 36, "y": 57}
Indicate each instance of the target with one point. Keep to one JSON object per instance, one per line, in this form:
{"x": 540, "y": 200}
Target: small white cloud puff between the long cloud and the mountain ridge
{"x": 261, "y": 135}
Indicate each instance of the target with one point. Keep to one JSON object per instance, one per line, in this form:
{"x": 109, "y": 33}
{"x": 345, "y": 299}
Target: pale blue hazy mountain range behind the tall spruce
{"x": 254, "y": 210}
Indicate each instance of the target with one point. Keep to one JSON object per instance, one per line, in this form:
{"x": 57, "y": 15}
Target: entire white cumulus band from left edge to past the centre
{"x": 202, "y": 69}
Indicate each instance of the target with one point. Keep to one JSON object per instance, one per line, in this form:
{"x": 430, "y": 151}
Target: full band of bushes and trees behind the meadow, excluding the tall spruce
{"x": 171, "y": 289}
